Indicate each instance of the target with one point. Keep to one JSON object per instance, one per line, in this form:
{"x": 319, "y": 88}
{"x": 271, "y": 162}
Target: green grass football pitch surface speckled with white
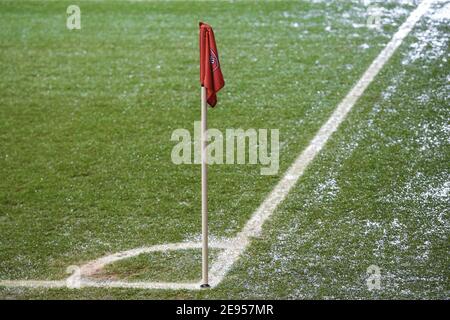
{"x": 86, "y": 118}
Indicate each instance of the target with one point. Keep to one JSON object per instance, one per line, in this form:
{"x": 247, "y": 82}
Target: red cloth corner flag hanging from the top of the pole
{"x": 210, "y": 74}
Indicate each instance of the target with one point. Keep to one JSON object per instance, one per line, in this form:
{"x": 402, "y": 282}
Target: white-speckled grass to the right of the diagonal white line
{"x": 402, "y": 225}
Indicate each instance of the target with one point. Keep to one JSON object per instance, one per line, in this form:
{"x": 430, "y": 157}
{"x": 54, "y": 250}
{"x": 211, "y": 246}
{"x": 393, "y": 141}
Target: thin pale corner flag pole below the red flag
{"x": 204, "y": 127}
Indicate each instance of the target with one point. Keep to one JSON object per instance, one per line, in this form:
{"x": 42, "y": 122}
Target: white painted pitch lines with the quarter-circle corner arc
{"x": 231, "y": 249}
